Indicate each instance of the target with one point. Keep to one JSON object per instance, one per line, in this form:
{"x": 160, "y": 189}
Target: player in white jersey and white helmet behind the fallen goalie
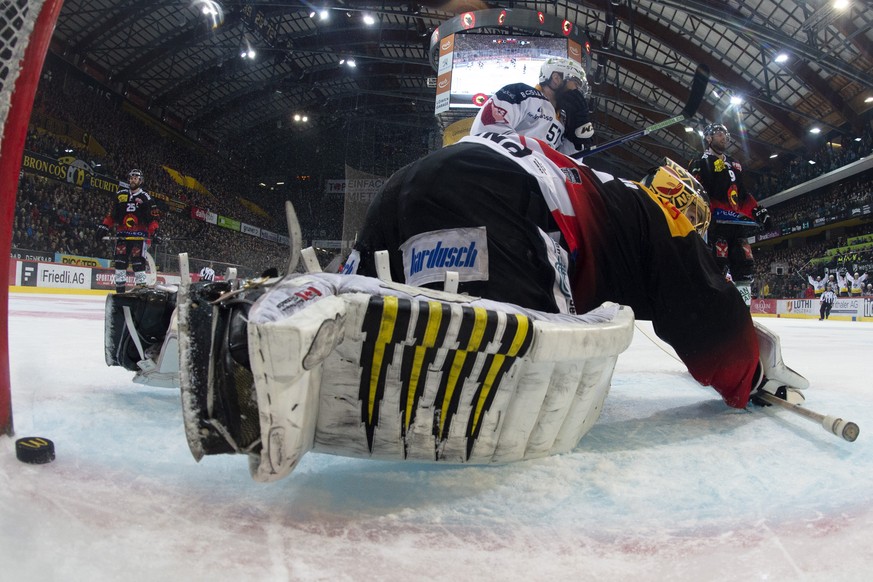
{"x": 555, "y": 111}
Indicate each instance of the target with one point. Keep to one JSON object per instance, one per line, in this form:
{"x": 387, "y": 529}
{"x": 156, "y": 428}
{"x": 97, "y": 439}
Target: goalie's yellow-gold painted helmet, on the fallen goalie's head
{"x": 674, "y": 184}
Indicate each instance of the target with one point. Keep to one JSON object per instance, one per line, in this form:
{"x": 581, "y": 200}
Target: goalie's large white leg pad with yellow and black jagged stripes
{"x": 354, "y": 366}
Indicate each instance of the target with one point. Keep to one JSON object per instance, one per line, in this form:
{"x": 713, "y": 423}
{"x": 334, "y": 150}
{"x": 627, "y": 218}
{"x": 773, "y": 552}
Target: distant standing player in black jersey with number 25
{"x": 134, "y": 216}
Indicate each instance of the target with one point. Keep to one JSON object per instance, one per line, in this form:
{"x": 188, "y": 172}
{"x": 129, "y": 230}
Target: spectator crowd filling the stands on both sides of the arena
{"x": 53, "y": 216}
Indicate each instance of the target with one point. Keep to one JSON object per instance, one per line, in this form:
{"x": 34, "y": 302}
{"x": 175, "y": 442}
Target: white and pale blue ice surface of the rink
{"x": 670, "y": 484}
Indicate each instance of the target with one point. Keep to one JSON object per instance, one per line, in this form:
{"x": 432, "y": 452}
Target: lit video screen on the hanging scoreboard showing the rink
{"x": 483, "y": 63}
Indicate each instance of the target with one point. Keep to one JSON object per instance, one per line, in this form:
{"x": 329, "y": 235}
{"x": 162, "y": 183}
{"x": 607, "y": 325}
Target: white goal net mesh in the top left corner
{"x": 17, "y": 18}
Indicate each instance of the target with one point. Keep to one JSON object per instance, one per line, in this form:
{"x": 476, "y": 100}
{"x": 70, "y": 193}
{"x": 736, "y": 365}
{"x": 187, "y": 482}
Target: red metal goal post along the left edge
{"x": 26, "y": 28}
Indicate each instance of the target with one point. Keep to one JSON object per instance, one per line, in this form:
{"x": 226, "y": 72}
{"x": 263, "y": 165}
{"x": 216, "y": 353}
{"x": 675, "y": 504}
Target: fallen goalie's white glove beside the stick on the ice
{"x": 772, "y": 375}
